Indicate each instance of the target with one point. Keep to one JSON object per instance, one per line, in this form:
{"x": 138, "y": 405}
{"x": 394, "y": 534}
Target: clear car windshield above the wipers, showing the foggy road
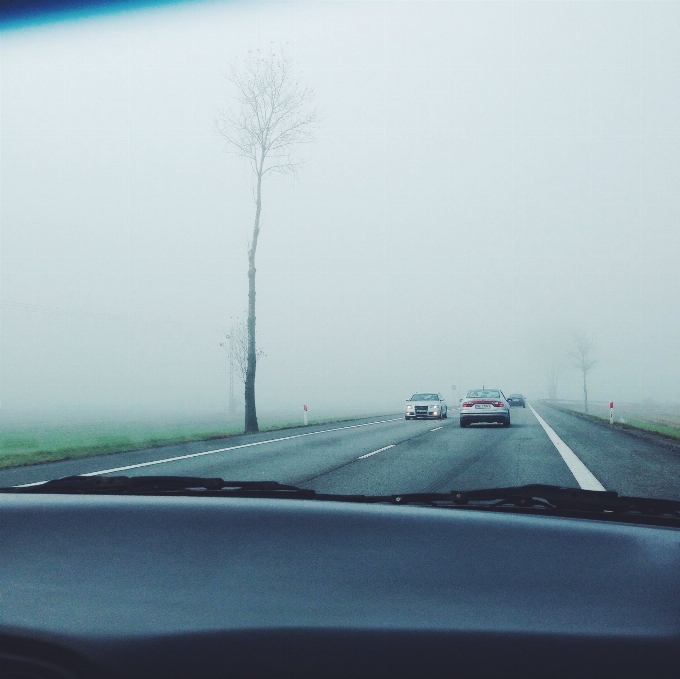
{"x": 235, "y": 236}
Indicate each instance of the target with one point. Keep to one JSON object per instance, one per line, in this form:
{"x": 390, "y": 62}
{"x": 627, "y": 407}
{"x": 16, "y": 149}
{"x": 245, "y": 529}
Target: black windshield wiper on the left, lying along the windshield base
{"x": 159, "y": 485}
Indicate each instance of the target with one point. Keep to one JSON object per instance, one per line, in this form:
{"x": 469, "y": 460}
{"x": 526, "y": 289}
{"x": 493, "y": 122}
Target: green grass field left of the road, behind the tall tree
{"x": 30, "y": 442}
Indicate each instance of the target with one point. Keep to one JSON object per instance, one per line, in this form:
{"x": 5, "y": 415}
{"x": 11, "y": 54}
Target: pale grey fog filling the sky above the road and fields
{"x": 489, "y": 180}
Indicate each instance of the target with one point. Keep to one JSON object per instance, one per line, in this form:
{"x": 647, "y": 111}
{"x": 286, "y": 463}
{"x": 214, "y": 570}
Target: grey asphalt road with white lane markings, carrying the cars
{"x": 391, "y": 455}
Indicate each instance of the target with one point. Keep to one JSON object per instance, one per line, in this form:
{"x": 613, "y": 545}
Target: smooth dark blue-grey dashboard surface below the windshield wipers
{"x": 206, "y": 587}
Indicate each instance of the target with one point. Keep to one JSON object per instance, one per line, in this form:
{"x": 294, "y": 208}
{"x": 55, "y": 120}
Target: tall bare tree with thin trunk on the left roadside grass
{"x": 274, "y": 117}
